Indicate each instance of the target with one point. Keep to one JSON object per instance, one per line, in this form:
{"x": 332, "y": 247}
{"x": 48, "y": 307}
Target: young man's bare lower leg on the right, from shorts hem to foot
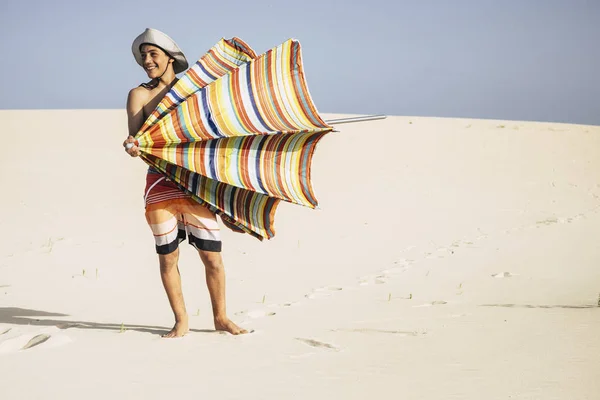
{"x": 215, "y": 280}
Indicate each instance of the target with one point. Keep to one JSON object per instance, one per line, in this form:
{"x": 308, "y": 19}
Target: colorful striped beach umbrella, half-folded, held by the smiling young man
{"x": 238, "y": 133}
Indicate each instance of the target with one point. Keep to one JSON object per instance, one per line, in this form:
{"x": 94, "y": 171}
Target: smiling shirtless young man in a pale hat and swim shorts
{"x": 170, "y": 212}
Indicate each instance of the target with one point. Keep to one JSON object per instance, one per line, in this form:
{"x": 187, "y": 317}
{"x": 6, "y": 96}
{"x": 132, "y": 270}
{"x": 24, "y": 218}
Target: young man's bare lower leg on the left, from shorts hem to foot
{"x": 169, "y": 273}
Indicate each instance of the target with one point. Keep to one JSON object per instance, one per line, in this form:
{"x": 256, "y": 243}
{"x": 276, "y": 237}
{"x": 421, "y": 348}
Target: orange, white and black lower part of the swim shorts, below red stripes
{"x": 172, "y": 220}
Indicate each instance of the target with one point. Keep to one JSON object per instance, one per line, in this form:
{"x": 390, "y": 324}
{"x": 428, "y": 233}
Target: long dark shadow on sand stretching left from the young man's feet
{"x": 23, "y": 316}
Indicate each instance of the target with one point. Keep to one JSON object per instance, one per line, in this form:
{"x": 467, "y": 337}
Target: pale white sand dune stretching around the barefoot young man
{"x": 449, "y": 259}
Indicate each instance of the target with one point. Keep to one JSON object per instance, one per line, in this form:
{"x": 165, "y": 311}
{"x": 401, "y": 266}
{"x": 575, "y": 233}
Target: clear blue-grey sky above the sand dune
{"x": 503, "y": 59}
